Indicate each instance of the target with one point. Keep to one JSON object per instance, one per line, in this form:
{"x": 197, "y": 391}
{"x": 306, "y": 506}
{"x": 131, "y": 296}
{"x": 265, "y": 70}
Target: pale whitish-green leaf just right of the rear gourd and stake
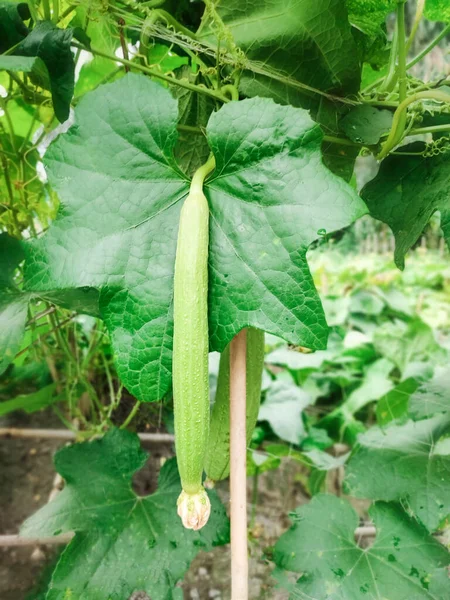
{"x": 283, "y": 408}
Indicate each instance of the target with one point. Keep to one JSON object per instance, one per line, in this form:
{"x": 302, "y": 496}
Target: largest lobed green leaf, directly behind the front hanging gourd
{"x": 116, "y": 232}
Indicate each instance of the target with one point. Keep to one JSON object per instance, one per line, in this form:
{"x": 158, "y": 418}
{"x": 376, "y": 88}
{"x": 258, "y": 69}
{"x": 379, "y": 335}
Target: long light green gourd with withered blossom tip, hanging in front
{"x": 190, "y": 353}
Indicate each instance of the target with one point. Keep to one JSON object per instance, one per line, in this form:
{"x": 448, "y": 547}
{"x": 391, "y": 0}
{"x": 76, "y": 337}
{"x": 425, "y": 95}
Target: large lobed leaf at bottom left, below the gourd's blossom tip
{"x": 123, "y": 542}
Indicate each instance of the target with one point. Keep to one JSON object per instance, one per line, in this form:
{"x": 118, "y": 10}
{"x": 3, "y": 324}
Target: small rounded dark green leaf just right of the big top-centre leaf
{"x": 365, "y": 124}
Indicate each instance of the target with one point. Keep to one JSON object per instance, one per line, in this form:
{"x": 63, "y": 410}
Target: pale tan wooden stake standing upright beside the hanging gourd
{"x": 238, "y": 465}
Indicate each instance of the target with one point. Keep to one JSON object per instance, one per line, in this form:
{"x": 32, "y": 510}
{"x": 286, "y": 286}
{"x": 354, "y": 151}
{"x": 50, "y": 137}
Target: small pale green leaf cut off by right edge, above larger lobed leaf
{"x": 432, "y": 397}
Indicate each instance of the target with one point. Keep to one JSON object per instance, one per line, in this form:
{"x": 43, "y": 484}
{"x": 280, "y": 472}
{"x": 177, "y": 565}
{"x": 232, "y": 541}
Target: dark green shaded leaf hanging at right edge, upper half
{"x": 406, "y": 192}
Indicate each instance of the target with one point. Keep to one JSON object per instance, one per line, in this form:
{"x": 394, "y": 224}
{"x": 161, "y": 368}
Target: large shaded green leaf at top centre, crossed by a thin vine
{"x": 306, "y": 41}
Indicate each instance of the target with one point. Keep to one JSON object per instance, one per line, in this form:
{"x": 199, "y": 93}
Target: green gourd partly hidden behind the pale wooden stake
{"x": 217, "y": 461}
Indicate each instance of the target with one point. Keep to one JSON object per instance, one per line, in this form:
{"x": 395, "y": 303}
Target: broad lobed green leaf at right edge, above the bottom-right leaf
{"x": 400, "y": 463}
